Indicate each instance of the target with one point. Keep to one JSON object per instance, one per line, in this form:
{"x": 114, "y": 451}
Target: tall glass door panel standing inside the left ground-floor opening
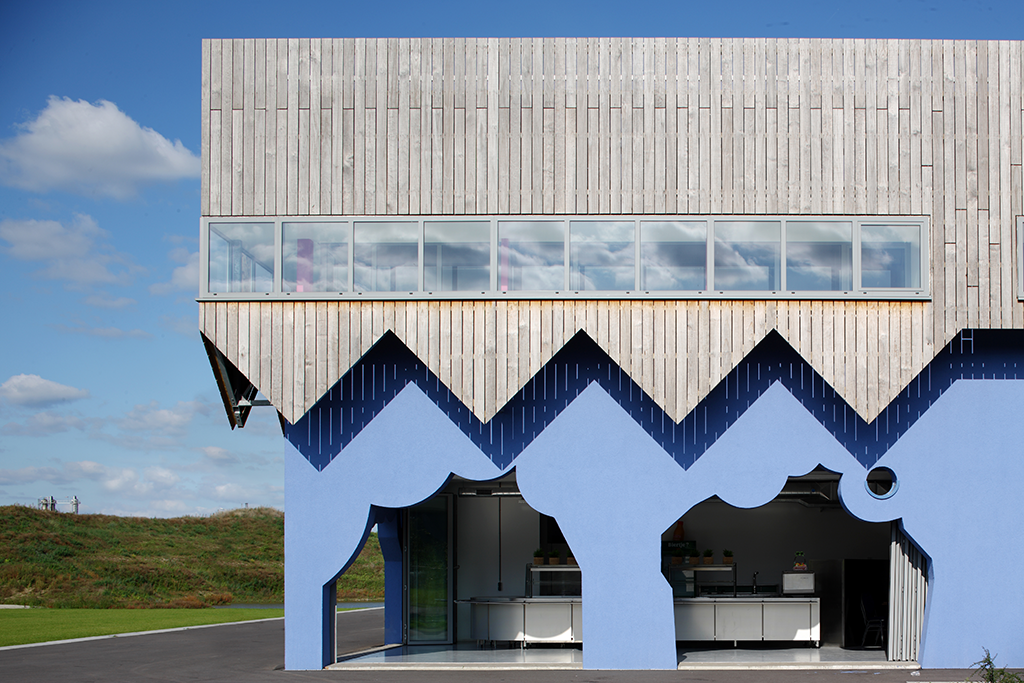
{"x": 429, "y": 573}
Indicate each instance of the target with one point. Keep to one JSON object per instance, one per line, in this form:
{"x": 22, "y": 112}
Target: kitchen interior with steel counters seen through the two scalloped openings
{"x": 798, "y": 572}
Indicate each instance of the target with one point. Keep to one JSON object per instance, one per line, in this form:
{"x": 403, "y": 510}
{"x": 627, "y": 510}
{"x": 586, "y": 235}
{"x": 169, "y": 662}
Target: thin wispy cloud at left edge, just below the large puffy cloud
{"x": 76, "y": 253}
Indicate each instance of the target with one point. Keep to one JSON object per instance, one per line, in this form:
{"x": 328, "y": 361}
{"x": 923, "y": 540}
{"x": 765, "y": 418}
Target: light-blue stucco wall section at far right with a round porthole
{"x": 961, "y": 473}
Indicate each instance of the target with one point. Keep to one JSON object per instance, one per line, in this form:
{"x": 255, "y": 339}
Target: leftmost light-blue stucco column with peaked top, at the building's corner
{"x": 403, "y": 457}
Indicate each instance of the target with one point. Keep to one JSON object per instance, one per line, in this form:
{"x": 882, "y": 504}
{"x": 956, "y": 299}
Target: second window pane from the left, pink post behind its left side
{"x": 316, "y": 258}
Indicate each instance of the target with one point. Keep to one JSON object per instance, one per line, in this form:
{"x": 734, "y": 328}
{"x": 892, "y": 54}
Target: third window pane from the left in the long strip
{"x": 387, "y": 258}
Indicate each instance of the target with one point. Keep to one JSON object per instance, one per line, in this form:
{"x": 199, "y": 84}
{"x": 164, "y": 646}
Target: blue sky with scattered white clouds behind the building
{"x": 106, "y": 393}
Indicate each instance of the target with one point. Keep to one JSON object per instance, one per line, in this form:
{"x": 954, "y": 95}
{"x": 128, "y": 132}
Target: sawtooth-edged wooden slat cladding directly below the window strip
{"x": 486, "y": 352}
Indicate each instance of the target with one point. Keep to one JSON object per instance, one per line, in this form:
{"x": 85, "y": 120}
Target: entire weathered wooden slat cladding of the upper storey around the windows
{"x": 621, "y": 126}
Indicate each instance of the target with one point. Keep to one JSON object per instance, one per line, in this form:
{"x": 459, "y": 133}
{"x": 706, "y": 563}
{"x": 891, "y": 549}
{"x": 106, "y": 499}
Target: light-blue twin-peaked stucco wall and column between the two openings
{"x": 615, "y": 491}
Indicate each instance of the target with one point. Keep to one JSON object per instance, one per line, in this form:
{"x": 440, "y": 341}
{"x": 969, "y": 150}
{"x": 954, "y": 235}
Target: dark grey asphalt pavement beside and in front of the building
{"x": 254, "y": 652}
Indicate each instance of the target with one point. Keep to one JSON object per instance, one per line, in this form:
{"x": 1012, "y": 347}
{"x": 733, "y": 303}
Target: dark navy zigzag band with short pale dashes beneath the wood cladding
{"x": 390, "y": 366}
